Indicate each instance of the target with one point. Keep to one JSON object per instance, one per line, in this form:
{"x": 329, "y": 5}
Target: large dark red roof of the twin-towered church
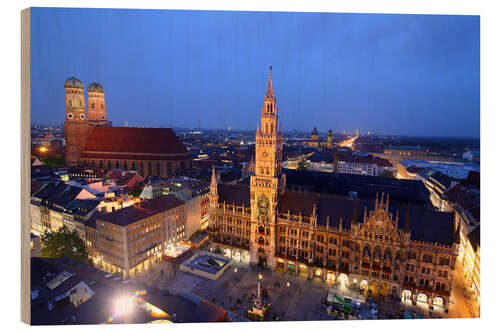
{"x": 138, "y": 140}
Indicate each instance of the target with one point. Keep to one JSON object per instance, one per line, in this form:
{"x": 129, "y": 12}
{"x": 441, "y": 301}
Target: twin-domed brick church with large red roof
{"x": 94, "y": 142}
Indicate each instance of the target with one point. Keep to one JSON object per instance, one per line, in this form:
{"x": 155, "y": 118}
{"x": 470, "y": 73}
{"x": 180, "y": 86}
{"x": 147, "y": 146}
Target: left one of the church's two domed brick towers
{"x": 76, "y": 127}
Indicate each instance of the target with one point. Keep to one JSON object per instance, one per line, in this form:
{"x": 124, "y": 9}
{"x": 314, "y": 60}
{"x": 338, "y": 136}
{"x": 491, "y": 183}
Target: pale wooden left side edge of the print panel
{"x": 25, "y": 166}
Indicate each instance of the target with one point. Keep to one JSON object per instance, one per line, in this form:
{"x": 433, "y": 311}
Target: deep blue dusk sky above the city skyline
{"x": 395, "y": 74}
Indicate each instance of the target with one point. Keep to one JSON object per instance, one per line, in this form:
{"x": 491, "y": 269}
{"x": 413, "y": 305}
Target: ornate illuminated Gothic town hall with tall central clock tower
{"x": 361, "y": 244}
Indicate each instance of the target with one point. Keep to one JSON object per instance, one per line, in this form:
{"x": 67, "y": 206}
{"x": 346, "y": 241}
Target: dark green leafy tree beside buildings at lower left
{"x": 64, "y": 243}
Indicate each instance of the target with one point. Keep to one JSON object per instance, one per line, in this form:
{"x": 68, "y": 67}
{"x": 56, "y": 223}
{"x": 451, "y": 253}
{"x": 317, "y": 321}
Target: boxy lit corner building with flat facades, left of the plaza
{"x": 130, "y": 240}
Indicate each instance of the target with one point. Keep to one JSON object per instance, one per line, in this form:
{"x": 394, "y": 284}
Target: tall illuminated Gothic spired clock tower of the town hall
{"x": 267, "y": 184}
